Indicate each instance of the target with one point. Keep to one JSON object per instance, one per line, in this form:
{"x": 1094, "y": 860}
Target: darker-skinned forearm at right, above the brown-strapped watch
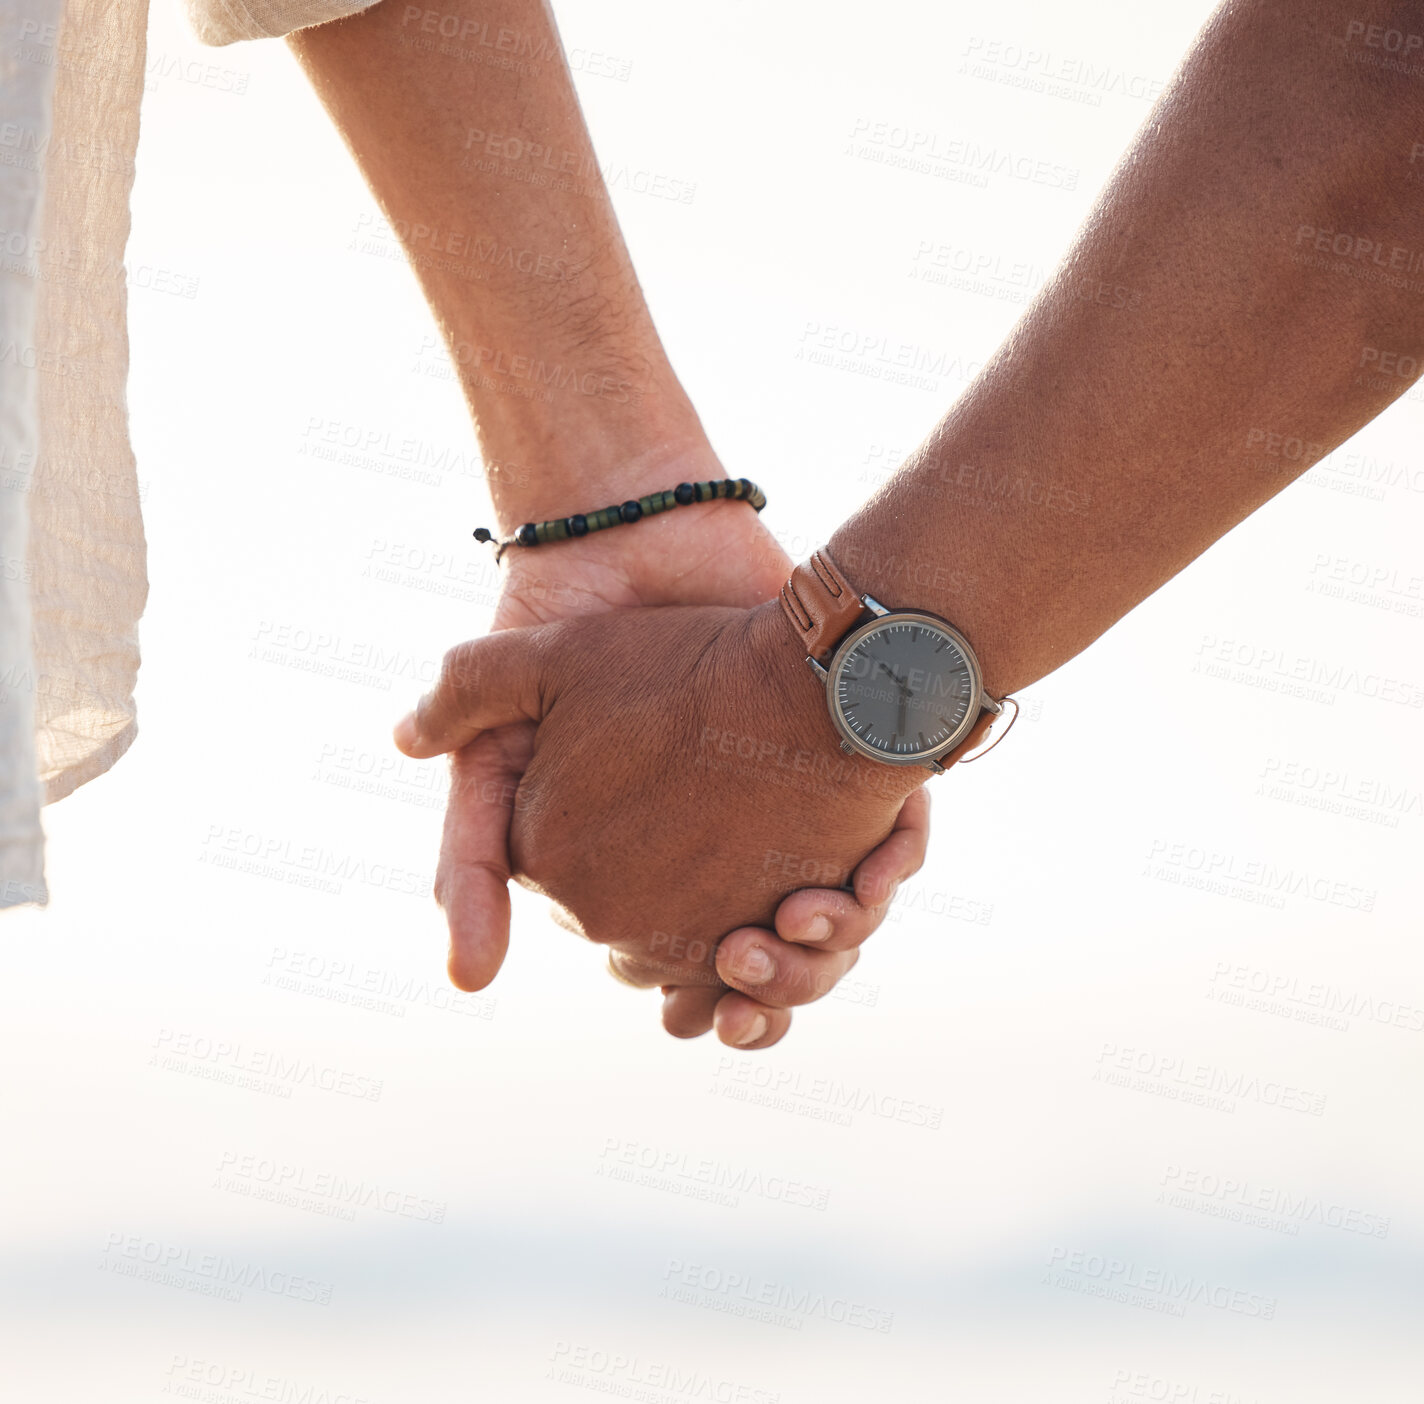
{"x": 1188, "y": 361}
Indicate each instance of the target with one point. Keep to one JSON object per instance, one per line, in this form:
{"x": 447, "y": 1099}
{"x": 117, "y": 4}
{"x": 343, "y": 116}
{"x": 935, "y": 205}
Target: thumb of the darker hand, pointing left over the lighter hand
{"x": 491, "y": 681}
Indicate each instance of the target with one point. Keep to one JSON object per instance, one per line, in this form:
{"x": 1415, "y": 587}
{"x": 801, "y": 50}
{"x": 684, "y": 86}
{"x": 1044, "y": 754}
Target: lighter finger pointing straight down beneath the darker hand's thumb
{"x": 473, "y": 875}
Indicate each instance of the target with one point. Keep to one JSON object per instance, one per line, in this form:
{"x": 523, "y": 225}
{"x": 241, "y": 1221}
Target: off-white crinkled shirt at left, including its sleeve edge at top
{"x": 73, "y": 577}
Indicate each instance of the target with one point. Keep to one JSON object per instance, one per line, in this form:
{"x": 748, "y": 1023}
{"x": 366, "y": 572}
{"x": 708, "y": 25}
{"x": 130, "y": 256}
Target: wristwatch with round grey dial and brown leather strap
{"x": 904, "y": 686}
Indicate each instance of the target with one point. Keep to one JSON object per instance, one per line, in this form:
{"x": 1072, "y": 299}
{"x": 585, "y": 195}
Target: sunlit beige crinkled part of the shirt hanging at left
{"x": 88, "y": 562}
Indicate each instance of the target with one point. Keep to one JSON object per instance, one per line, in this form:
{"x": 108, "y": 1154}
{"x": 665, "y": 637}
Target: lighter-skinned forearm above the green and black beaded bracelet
{"x": 465, "y": 122}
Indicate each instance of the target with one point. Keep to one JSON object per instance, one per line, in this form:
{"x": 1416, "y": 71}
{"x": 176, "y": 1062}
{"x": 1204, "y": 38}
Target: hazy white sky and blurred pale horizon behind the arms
{"x": 499, "y": 1195}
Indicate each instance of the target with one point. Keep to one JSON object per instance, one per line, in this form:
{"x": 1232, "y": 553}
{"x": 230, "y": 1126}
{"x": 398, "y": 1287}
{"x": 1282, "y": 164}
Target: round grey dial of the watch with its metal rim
{"x": 905, "y": 687}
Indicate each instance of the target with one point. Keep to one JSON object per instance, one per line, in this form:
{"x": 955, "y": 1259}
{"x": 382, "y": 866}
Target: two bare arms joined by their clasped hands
{"x": 620, "y": 743}
